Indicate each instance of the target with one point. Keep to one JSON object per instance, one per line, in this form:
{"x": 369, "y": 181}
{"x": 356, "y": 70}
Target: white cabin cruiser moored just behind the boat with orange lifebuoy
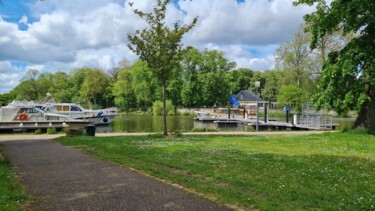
{"x": 76, "y": 111}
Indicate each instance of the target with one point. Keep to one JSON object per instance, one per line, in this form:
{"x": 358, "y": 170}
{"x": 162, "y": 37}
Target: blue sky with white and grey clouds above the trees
{"x": 55, "y": 35}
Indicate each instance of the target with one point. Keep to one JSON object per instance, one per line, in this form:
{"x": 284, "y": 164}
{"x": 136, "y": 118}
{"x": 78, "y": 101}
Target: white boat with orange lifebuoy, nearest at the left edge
{"x": 26, "y": 115}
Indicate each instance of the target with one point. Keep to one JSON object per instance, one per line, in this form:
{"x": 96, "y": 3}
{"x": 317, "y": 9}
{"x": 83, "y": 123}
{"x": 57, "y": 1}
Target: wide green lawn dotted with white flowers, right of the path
{"x": 331, "y": 171}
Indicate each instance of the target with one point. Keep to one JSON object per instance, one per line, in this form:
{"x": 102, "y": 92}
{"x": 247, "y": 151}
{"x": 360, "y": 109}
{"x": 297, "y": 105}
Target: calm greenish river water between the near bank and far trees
{"x": 150, "y": 123}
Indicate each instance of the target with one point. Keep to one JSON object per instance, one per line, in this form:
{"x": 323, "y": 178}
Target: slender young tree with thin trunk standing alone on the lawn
{"x": 159, "y": 46}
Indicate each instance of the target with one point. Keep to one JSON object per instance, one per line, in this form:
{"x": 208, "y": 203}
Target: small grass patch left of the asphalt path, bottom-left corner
{"x": 11, "y": 194}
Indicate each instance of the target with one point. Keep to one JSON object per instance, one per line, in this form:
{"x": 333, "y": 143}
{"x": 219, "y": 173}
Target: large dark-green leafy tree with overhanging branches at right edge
{"x": 348, "y": 80}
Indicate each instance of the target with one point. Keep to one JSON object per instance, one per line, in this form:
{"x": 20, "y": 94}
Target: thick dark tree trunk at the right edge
{"x": 366, "y": 115}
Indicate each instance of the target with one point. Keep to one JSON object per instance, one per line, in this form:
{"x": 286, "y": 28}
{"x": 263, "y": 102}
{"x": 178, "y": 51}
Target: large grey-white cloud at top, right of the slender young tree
{"x": 253, "y": 22}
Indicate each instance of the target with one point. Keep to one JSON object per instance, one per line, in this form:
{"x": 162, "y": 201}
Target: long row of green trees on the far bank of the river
{"x": 203, "y": 78}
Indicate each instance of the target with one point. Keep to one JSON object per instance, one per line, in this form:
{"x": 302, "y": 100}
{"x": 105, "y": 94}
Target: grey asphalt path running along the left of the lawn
{"x": 67, "y": 179}
